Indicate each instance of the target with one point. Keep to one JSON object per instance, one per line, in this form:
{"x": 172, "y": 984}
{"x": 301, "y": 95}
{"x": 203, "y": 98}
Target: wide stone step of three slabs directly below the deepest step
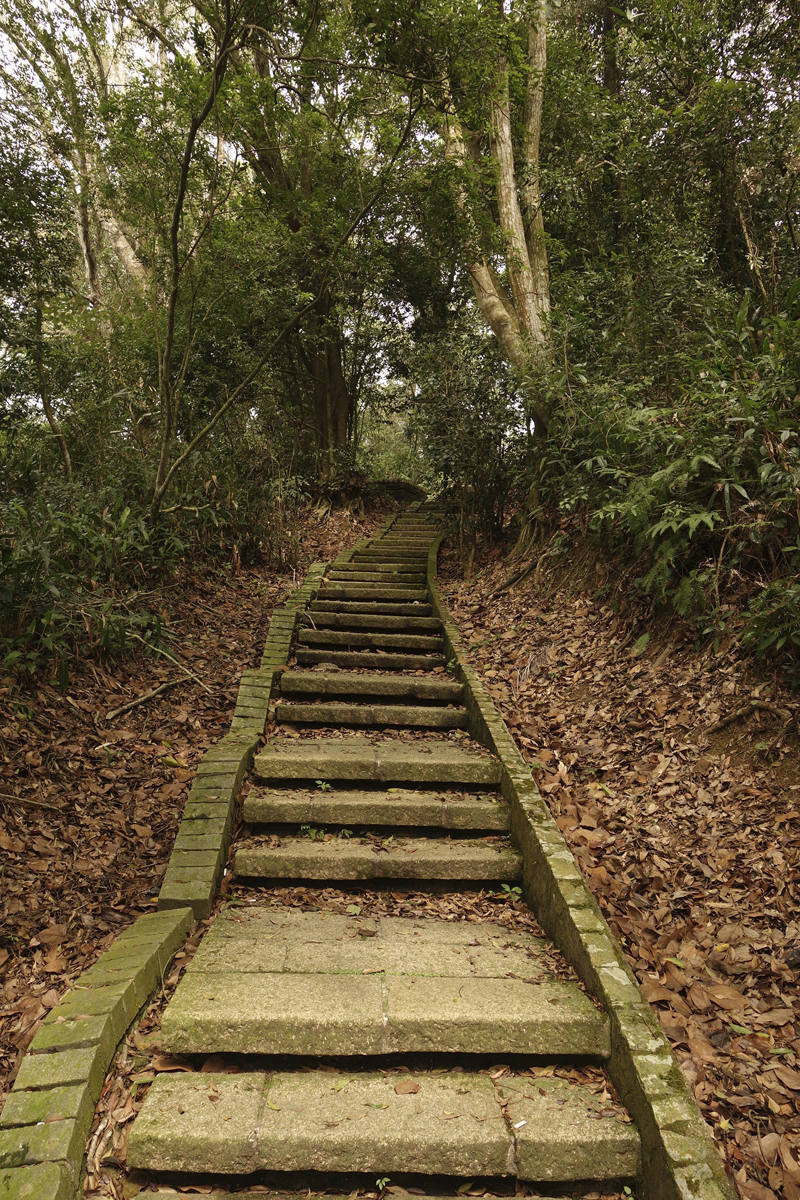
{"x": 548, "y": 1130}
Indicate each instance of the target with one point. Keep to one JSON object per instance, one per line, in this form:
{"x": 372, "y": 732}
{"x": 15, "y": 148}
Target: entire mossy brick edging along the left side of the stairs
{"x": 49, "y": 1114}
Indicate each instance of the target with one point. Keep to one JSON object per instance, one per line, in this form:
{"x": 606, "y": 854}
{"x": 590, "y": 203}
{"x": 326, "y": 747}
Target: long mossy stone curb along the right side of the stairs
{"x": 679, "y": 1159}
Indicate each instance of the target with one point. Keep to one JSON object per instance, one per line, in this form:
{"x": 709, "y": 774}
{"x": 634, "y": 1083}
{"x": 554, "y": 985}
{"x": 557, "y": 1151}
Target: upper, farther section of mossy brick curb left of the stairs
{"x": 201, "y": 849}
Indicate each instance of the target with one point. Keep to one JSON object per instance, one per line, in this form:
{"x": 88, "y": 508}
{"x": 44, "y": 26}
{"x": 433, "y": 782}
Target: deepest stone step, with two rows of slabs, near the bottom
{"x": 281, "y": 982}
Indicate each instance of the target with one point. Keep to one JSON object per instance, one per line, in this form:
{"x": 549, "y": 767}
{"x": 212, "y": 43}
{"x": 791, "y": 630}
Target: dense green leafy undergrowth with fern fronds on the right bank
{"x": 699, "y": 482}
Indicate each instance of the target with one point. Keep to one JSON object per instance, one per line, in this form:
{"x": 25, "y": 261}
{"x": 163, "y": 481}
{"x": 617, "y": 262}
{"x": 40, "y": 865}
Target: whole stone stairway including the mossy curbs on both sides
{"x": 436, "y": 1037}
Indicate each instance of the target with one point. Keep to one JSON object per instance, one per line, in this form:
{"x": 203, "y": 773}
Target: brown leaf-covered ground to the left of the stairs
{"x": 89, "y": 808}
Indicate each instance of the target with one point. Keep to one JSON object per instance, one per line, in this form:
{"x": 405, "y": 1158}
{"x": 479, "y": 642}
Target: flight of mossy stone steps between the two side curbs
{"x": 363, "y": 1047}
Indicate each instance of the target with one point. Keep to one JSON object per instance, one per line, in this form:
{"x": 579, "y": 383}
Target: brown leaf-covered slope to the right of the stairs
{"x": 684, "y": 815}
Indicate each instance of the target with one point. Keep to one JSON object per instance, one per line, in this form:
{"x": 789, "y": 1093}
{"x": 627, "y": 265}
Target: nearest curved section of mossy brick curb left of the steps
{"x": 46, "y": 1120}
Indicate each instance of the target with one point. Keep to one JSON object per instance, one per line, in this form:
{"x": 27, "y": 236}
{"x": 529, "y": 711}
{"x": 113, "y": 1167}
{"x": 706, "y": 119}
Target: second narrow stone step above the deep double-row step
{"x": 394, "y": 807}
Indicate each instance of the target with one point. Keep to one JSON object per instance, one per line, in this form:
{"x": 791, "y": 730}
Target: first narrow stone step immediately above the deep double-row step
{"x": 354, "y": 859}
